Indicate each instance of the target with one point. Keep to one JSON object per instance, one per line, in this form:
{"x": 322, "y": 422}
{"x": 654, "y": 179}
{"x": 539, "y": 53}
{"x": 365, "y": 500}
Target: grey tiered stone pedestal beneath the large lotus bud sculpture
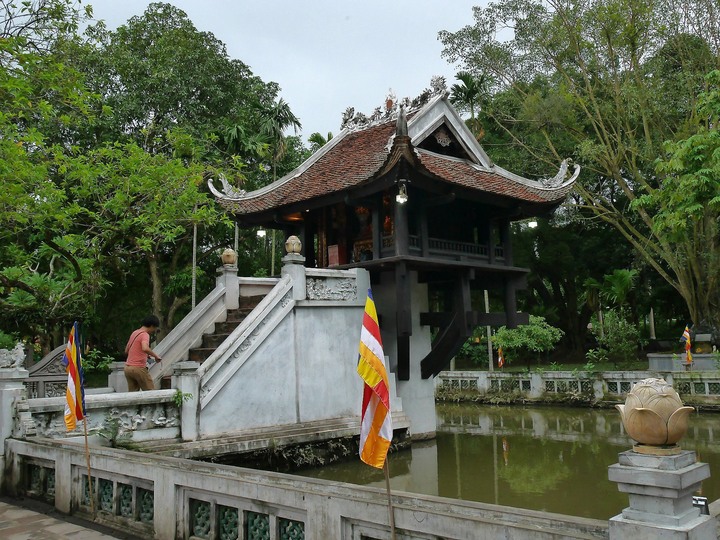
{"x": 660, "y": 489}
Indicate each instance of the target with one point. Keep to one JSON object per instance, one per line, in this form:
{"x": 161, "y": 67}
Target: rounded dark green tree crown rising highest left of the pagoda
{"x": 157, "y": 72}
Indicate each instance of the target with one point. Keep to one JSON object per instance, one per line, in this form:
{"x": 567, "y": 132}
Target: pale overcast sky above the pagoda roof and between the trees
{"x": 326, "y": 55}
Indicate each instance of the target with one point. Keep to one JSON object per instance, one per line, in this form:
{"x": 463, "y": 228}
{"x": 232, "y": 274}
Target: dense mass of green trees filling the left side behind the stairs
{"x": 106, "y": 143}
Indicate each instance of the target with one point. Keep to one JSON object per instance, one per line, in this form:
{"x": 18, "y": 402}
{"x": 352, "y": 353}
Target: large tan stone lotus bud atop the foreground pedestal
{"x": 653, "y": 413}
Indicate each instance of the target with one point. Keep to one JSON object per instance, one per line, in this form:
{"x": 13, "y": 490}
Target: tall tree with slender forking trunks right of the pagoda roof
{"x": 610, "y": 81}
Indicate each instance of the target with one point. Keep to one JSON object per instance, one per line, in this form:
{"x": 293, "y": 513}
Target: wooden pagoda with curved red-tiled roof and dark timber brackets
{"x": 410, "y": 195}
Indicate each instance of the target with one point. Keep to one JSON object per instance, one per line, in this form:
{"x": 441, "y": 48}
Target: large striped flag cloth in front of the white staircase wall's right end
{"x": 376, "y": 427}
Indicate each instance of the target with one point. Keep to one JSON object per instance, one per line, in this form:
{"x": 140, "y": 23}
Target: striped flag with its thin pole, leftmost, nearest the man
{"x": 75, "y": 395}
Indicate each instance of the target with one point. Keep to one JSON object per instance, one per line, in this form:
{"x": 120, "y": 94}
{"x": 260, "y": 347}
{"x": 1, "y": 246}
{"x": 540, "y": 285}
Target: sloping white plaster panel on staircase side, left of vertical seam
{"x": 262, "y": 393}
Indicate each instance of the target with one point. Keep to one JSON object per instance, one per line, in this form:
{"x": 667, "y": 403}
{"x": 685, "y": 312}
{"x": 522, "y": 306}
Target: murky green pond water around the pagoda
{"x": 542, "y": 458}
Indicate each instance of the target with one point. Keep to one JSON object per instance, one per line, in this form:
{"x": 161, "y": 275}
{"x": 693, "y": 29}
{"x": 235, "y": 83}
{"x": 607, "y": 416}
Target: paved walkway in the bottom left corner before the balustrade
{"x": 29, "y": 520}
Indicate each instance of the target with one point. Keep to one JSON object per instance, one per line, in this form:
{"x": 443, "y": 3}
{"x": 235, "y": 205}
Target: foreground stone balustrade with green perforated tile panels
{"x": 166, "y": 498}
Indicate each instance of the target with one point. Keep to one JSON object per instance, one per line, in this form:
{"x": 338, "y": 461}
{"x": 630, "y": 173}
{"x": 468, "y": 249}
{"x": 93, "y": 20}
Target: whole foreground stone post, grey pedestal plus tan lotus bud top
{"x": 659, "y": 477}
